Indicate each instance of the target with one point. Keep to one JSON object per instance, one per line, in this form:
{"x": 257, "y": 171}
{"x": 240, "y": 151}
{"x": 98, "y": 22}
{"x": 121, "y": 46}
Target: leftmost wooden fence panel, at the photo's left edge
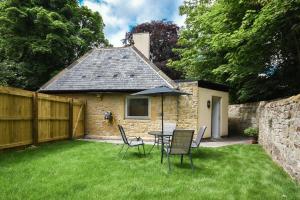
{"x": 15, "y": 117}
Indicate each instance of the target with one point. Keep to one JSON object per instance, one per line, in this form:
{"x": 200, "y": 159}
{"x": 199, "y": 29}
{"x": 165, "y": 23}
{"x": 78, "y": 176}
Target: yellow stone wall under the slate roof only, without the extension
{"x": 98, "y": 104}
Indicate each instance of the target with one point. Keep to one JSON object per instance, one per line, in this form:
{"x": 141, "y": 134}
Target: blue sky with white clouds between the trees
{"x": 120, "y": 15}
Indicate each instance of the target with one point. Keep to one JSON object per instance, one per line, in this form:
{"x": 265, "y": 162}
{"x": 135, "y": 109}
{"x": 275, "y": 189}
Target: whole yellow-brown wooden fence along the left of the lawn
{"x": 31, "y": 118}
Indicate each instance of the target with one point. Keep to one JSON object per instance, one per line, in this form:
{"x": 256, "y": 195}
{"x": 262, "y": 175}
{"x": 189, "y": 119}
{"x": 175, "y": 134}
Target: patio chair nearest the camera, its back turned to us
{"x": 180, "y": 145}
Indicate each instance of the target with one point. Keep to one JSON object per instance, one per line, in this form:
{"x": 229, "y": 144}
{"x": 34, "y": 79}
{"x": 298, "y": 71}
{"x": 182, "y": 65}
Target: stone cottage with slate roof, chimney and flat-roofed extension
{"x": 105, "y": 78}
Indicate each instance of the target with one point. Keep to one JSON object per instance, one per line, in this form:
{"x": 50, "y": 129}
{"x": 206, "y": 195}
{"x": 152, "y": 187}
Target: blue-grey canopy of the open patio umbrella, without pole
{"x": 160, "y": 91}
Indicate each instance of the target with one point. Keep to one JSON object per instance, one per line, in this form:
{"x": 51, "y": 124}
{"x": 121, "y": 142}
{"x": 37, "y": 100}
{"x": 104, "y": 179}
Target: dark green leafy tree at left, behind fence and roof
{"x": 41, "y": 37}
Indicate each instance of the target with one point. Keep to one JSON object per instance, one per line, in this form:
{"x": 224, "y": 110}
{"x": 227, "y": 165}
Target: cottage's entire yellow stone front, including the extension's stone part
{"x": 179, "y": 110}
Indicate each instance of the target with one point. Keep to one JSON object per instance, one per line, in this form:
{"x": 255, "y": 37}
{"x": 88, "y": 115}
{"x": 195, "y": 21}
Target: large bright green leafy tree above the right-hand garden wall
{"x": 253, "y": 46}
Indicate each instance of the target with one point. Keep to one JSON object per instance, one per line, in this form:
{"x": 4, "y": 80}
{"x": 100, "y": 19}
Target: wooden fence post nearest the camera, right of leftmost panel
{"x": 35, "y": 119}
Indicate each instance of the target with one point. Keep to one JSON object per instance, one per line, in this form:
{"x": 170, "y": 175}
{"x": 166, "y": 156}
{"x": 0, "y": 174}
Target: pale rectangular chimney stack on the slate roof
{"x": 142, "y": 43}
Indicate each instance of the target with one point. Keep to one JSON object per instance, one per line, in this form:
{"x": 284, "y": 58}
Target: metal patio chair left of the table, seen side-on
{"x": 133, "y": 142}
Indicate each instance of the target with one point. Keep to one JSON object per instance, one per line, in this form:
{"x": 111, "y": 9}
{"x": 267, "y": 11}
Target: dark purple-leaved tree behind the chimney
{"x": 163, "y": 38}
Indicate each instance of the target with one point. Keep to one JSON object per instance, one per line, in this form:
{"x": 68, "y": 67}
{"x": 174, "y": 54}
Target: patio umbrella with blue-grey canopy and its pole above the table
{"x": 161, "y": 91}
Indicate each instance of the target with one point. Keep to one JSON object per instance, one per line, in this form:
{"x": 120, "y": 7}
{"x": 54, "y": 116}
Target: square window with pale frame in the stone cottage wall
{"x": 137, "y": 107}
